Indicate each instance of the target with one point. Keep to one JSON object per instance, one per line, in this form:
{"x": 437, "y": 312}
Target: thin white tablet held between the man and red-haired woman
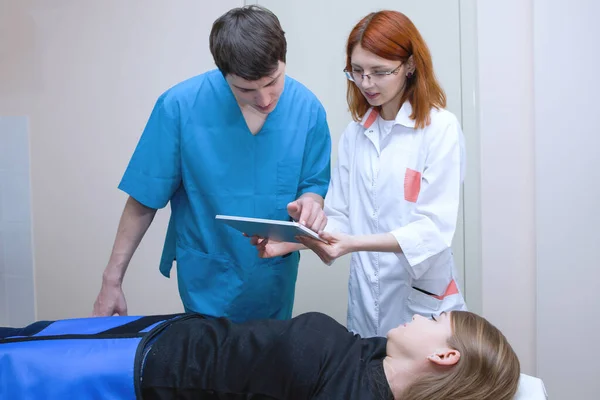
{"x": 282, "y": 231}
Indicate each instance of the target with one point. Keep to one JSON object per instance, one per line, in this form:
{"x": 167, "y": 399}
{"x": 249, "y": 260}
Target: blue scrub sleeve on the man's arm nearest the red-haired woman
{"x": 316, "y": 171}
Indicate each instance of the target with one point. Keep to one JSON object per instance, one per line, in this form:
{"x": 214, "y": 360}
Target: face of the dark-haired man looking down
{"x": 262, "y": 94}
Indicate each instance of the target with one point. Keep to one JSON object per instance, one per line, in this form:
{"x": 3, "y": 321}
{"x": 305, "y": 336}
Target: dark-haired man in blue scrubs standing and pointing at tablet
{"x": 244, "y": 139}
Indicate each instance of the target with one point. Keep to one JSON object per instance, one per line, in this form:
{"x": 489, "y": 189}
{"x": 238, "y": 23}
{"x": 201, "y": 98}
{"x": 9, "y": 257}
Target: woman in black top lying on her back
{"x": 457, "y": 356}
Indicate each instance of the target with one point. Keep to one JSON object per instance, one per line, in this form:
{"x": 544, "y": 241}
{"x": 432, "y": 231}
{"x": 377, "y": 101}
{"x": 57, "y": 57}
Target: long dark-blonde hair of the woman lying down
{"x": 488, "y": 368}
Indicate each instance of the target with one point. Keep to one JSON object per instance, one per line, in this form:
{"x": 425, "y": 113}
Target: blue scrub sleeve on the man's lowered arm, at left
{"x": 154, "y": 171}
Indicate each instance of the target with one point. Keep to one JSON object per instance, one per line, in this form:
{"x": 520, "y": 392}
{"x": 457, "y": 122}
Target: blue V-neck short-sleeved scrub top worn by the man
{"x": 198, "y": 153}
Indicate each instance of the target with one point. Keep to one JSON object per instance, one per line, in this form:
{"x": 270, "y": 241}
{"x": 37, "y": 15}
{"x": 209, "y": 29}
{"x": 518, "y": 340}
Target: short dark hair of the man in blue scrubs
{"x": 248, "y": 42}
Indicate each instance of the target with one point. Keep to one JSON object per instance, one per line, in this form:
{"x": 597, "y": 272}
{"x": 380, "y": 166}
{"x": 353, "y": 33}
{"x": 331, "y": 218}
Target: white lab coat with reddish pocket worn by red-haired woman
{"x": 408, "y": 184}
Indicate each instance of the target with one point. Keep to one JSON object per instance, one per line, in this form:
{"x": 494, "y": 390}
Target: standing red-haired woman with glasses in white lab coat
{"x": 394, "y": 194}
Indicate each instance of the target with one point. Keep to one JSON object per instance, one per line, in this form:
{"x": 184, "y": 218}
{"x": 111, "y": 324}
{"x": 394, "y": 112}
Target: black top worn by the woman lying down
{"x": 308, "y": 357}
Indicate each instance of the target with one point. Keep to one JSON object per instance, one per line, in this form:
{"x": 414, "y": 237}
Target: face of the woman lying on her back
{"x": 420, "y": 338}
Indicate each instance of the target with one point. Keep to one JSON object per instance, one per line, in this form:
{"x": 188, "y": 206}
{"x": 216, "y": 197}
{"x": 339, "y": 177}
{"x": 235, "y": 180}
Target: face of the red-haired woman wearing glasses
{"x": 377, "y": 89}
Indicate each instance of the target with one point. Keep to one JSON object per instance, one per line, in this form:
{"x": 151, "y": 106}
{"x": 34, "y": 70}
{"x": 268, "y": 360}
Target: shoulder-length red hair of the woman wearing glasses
{"x": 393, "y": 36}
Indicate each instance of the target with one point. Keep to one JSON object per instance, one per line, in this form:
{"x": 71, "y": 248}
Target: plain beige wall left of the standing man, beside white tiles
{"x": 87, "y": 75}
